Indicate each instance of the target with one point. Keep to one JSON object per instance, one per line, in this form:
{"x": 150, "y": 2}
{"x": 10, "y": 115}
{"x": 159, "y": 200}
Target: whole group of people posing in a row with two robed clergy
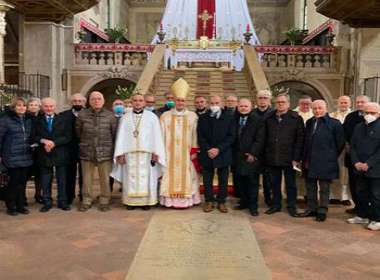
{"x": 160, "y": 155}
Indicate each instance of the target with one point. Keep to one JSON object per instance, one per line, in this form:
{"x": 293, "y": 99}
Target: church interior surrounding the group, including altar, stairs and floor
{"x": 54, "y": 48}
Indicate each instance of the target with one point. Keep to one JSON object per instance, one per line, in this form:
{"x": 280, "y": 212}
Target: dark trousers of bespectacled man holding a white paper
{"x": 290, "y": 186}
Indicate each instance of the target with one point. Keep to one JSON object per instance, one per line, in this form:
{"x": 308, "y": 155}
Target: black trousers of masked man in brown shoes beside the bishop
{"x": 208, "y": 176}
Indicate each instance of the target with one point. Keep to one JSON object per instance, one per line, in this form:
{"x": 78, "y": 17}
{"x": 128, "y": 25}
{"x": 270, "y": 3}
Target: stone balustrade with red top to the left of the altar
{"x": 112, "y": 54}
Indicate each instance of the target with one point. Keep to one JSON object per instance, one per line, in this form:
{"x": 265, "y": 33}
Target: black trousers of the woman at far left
{"x": 15, "y": 191}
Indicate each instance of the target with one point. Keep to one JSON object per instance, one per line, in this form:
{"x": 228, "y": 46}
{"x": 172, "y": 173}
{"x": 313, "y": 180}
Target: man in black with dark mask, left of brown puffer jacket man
{"x": 73, "y": 169}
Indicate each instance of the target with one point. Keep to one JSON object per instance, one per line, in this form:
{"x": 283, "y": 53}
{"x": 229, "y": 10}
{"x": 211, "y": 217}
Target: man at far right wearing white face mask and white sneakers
{"x": 365, "y": 157}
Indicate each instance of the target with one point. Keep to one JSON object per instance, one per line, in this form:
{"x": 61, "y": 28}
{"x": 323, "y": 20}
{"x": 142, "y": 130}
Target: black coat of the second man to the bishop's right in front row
{"x": 251, "y": 140}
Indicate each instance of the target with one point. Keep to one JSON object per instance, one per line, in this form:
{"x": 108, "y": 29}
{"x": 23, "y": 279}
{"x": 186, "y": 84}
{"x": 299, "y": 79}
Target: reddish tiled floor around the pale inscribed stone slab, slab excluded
{"x": 96, "y": 245}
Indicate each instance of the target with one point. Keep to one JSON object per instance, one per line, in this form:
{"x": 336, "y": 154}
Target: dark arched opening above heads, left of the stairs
{"x": 108, "y": 88}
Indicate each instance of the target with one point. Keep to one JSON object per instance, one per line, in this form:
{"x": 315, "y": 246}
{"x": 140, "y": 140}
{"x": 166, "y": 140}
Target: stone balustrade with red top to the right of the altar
{"x": 299, "y": 57}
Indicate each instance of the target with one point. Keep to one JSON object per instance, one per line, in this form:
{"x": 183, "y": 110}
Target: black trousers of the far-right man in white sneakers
{"x": 368, "y": 191}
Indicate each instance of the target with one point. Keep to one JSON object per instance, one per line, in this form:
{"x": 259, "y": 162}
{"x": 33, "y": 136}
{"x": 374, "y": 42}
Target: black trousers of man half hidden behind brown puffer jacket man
{"x": 73, "y": 170}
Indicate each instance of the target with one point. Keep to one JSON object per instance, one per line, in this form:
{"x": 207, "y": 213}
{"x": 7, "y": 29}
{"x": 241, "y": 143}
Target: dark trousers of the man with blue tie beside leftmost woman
{"x": 47, "y": 174}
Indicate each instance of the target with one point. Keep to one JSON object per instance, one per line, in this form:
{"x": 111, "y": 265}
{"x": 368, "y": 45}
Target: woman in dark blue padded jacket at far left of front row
{"x": 16, "y": 154}
